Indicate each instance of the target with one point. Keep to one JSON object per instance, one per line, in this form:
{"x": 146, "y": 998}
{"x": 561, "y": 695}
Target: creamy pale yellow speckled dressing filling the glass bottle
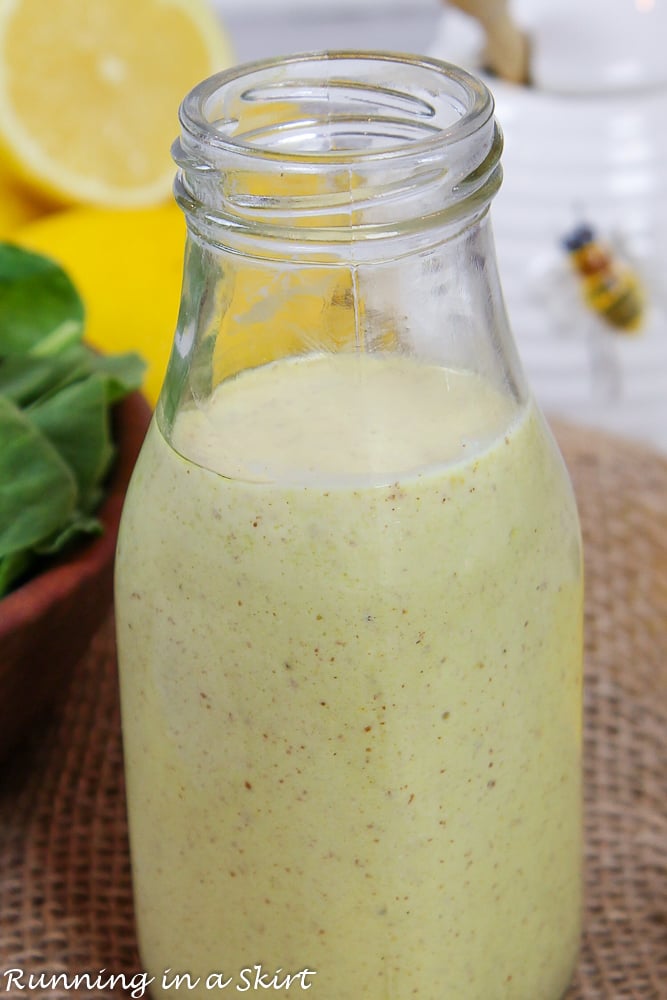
{"x": 351, "y": 687}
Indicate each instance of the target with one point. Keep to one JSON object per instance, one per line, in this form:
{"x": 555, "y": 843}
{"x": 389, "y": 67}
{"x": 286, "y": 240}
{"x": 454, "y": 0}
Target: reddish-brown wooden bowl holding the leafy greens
{"x": 47, "y": 624}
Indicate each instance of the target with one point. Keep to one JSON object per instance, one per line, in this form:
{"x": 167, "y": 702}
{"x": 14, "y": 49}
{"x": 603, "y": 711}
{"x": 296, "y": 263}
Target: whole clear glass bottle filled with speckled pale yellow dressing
{"x": 349, "y": 592}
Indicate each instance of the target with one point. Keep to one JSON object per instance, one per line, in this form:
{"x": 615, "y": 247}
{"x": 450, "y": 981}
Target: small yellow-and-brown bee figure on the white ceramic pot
{"x": 610, "y": 287}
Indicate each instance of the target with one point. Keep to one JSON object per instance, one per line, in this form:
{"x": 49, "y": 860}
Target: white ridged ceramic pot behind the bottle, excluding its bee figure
{"x": 597, "y": 155}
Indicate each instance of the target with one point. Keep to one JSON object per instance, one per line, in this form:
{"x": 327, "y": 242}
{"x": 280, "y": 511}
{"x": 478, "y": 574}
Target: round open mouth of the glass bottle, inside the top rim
{"x": 345, "y": 107}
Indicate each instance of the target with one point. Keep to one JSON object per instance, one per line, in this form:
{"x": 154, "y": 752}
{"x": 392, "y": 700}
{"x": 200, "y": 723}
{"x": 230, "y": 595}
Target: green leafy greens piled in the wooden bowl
{"x": 55, "y": 414}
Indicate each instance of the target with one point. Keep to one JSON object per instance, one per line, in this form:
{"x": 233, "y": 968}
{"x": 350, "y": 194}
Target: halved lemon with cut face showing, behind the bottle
{"x": 90, "y": 89}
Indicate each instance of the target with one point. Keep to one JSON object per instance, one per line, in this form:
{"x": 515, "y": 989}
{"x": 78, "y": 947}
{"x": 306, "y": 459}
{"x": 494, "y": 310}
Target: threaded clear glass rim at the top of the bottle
{"x": 335, "y": 147}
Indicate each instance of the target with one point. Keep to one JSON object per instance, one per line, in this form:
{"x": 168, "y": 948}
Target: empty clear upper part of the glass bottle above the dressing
{"x": 331, "y": 210}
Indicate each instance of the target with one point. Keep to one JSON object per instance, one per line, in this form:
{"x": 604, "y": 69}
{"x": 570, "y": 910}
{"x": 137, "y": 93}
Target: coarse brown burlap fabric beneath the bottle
{"x": 65, "y": 896}
